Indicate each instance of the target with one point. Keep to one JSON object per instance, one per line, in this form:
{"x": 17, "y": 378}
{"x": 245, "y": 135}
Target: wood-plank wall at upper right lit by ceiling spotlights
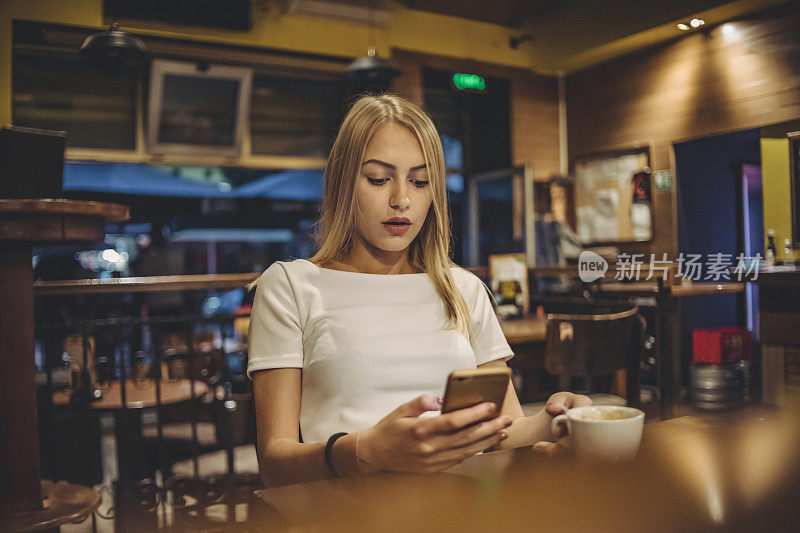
{"x": 739, "y": 75}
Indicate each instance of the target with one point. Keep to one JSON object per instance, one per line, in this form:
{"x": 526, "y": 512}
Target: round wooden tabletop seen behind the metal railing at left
{"x": 139, "y": 396}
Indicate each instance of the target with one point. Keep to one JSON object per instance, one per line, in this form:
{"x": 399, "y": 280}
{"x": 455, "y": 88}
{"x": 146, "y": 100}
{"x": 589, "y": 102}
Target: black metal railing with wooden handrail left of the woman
{"x": 157, "y": 410}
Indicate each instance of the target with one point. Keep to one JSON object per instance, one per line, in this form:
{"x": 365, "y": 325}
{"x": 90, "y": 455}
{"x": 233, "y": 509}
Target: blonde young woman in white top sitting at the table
{"x": 360, "y": 339}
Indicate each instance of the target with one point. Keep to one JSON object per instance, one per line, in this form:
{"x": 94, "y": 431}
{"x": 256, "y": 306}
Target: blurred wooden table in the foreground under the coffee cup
{"x": 689, "y": 475}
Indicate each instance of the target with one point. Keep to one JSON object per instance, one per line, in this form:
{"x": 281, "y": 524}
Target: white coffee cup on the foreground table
{"x": 601, "y": 432}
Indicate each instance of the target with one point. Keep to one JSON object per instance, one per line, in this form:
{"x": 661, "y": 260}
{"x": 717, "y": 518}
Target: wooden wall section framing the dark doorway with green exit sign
{"x": 534, "y": 104}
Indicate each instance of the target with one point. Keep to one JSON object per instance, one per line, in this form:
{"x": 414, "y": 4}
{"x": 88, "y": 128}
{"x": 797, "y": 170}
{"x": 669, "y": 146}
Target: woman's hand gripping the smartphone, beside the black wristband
{"x": 404, "y": 442}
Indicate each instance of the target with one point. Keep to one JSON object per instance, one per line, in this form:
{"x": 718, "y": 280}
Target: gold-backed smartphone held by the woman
{"x": 469, "y": 387}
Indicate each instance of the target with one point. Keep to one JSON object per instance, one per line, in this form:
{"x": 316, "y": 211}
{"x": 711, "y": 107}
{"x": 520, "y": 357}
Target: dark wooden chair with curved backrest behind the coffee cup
{"x": 594, "y": 342}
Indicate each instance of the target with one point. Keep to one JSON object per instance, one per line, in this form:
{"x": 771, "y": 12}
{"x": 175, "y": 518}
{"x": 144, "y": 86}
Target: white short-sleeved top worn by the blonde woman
{"x": 366, "y": 343}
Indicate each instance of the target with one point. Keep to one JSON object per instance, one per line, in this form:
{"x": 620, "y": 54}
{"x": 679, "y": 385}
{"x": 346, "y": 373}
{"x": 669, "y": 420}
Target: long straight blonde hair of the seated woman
{"x": 337, "y": 229}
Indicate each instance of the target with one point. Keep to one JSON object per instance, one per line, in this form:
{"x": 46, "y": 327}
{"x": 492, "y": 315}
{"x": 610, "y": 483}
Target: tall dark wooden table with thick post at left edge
{"x": 24, "y": 223}
